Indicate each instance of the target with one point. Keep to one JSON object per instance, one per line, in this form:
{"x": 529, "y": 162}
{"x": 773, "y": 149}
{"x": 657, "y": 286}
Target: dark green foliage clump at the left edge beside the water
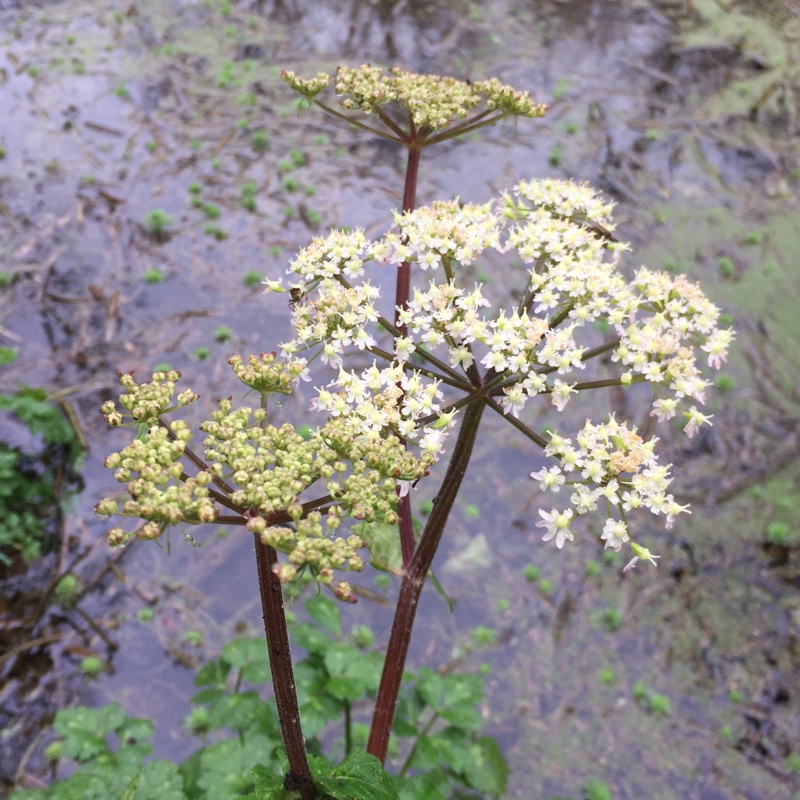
{"x": 29, "y": 490}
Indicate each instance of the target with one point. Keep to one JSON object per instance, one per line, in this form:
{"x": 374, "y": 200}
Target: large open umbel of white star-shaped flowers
{"x": 562, "y": 232}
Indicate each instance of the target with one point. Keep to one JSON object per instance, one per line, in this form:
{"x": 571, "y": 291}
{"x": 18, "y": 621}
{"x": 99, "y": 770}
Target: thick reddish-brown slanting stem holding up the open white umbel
{"x": 414, "y": 580}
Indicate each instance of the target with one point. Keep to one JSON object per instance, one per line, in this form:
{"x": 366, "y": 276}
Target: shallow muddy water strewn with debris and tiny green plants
{"x": 685, "y": 114}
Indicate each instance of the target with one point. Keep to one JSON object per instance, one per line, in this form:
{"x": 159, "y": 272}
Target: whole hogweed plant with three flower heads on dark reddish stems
{"x": 444, "y": 358}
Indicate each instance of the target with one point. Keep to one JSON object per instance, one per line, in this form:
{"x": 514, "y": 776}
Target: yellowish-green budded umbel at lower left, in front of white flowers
{"x": 269, "y": 468}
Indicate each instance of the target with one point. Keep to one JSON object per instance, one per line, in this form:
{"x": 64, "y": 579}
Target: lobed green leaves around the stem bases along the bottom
{"x": 438, "y": 749}
